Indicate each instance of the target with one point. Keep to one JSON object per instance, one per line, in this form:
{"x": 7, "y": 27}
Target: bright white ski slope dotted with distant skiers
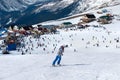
{"x": 82, "y": 60}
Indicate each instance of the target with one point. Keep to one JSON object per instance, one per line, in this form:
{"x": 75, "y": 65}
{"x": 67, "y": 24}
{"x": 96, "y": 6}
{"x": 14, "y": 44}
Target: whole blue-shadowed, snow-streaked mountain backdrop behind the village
{"x": 28, "y": 12}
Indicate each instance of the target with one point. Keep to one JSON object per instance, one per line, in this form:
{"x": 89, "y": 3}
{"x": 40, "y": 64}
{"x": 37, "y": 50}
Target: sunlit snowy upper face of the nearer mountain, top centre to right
{"x": 81, "y": 5}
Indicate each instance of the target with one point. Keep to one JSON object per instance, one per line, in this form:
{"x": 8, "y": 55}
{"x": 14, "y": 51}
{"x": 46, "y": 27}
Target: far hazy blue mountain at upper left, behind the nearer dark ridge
{"x": 13, "y": 9}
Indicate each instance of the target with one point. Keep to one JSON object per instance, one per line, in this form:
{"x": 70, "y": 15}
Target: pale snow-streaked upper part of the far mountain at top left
{"x": 16, "y": 5}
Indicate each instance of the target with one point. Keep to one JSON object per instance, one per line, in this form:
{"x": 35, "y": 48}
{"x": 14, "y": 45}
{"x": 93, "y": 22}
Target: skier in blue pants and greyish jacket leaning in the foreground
{"x": 59, "y": 55}
